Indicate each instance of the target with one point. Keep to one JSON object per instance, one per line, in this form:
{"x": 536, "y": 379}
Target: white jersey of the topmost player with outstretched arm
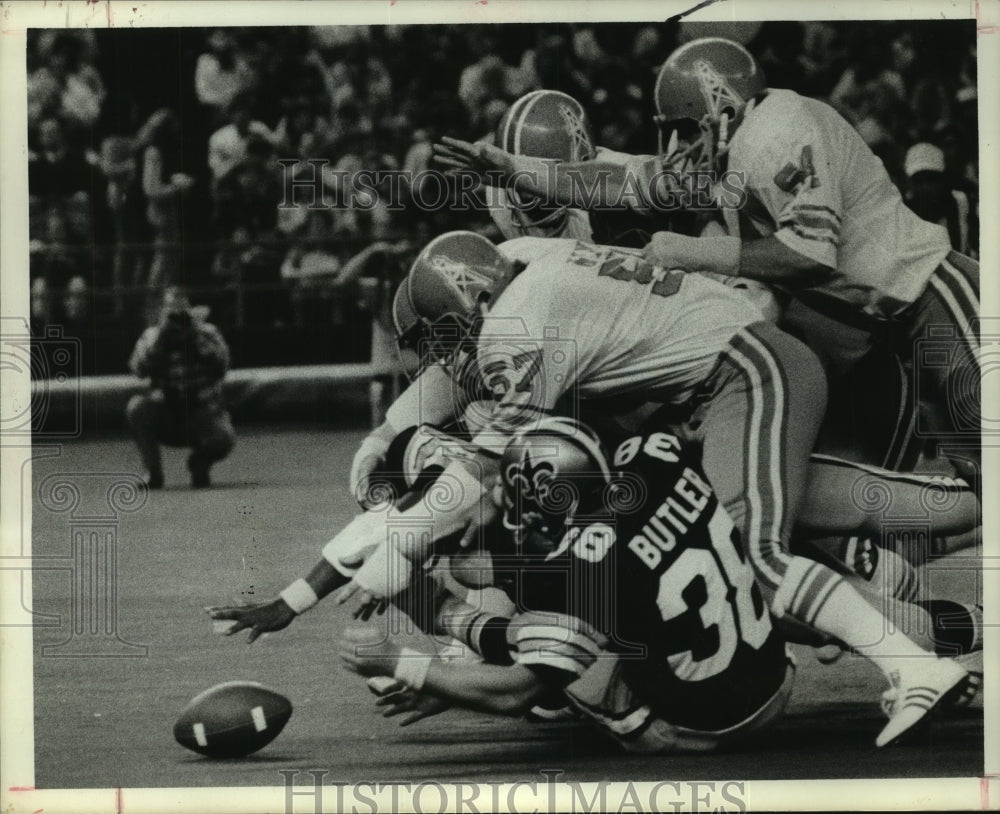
{"x": 814, "y": 184}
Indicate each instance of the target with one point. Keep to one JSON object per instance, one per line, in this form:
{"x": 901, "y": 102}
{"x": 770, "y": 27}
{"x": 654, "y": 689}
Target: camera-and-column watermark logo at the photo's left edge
{"x": 92, "y": 503}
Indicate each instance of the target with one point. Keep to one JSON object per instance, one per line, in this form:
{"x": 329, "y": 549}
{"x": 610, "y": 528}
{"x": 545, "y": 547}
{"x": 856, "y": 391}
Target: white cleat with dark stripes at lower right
{"x": 926, "y": 688}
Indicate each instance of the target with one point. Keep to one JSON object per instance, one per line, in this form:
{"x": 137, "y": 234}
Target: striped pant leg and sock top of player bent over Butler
{"x": 757, "y": 417}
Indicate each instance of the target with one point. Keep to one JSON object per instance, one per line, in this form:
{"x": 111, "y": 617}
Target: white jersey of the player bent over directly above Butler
{"x": 585, "y": 321}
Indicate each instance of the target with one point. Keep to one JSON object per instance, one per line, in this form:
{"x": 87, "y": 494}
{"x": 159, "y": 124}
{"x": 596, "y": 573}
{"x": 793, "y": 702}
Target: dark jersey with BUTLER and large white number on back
{"x": 658, "y": 579}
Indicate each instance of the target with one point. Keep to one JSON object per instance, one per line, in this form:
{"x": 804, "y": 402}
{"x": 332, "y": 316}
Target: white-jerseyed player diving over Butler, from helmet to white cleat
{"x": 699, "y": 342}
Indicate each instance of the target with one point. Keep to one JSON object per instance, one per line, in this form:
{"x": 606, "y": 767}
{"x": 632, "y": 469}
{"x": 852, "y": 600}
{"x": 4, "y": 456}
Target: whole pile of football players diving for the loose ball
{"x": 602, "y": 492}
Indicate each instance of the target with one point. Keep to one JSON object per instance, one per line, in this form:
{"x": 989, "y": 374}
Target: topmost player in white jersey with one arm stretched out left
{"x": 814, "y": 213}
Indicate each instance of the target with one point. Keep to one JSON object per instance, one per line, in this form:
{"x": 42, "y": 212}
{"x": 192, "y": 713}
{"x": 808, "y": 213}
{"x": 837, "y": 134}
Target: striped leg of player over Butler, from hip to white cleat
{"x": 758, "y": 433}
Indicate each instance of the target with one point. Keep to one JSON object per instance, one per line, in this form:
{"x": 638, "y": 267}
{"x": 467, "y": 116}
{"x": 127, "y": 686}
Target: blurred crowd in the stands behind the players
{"x": 154, "y": 155}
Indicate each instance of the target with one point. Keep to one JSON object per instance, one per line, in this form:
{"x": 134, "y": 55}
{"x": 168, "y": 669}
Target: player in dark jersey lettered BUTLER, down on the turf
{"x": 660, "y": 637}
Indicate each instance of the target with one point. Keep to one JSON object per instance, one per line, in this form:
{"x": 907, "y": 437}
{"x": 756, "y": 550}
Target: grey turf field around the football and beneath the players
{"x": 107, "y": 722}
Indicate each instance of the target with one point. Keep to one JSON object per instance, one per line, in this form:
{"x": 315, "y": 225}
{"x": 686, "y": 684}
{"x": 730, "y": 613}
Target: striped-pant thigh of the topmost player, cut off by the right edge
{"x": 943, "y": 332}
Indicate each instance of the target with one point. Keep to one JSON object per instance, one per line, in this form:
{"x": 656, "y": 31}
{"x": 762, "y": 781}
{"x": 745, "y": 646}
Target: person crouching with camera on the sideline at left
{"x": 185, "y": 359}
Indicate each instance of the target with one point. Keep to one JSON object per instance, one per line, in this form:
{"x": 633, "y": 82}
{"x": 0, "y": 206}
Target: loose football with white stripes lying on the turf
{"x": 232, "y": 719}
